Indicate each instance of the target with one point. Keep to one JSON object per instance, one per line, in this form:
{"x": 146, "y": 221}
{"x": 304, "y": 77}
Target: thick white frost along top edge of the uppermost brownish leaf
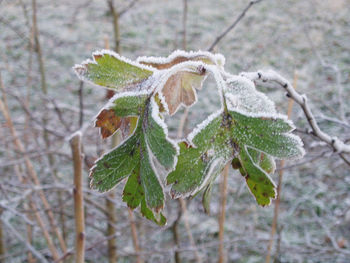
{"x": 217, "y": 59}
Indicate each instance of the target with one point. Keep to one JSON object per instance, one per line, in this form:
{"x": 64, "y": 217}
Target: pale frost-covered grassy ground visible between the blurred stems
{"x": 292, "y": 37}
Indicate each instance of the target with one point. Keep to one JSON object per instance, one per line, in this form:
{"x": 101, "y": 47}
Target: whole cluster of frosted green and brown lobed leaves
{"x": 246, "y": 132}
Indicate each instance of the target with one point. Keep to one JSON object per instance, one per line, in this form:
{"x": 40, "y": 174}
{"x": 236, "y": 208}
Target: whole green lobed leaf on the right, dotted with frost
{"x": 225, "y": 137}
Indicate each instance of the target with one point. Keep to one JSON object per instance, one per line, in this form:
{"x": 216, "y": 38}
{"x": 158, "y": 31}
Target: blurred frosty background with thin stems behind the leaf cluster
{"x": 307, "y": 42}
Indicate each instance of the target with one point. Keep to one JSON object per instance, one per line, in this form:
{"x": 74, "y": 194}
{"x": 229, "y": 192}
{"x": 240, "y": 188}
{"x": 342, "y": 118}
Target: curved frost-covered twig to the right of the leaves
{"x": 337, "y": 145}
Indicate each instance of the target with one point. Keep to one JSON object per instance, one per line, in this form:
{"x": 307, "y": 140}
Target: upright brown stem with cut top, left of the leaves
{"x": 75, "y": 143}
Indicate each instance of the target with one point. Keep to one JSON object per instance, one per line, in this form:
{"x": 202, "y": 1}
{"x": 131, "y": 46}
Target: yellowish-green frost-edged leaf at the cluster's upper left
{"x": 111, "y": 70}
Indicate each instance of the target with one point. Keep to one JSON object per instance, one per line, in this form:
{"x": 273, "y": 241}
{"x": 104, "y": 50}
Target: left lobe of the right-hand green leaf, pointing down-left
{"x": 212, "y": 148}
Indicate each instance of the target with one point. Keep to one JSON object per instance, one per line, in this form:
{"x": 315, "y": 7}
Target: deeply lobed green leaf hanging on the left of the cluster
{"x": 133, "y": 158}
